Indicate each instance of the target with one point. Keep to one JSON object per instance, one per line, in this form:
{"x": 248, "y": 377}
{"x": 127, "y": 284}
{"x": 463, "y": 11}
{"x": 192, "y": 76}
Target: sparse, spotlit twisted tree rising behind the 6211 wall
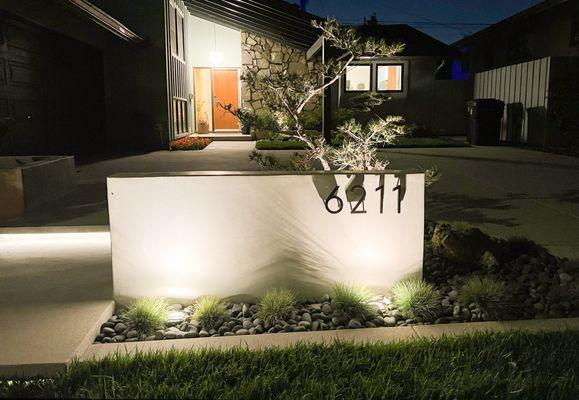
{"x": 291, "y": 92}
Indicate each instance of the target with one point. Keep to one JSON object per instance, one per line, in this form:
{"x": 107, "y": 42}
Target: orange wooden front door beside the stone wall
{"x": 226, "y": 91}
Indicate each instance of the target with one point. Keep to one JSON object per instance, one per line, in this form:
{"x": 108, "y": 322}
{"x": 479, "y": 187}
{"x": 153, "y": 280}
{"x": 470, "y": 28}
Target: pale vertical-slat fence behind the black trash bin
{"x": 524, "y": 83}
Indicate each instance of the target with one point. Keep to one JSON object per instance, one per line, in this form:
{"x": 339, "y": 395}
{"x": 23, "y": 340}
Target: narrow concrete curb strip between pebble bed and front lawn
{"x": 366, "y": 335}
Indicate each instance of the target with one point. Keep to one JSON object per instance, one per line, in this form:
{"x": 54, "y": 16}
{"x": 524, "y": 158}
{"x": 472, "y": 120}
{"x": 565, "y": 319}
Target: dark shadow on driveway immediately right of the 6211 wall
{"x": 458, "y": 207}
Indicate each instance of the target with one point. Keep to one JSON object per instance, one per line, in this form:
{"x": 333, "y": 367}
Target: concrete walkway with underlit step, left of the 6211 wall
{"x": 55, "y": 292}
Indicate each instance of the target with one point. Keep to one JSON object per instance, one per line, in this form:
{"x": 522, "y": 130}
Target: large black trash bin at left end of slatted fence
{"x": 485, "y": 121}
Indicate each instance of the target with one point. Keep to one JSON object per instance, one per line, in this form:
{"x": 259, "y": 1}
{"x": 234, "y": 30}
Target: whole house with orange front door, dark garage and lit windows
{"x": 105, "y": 76}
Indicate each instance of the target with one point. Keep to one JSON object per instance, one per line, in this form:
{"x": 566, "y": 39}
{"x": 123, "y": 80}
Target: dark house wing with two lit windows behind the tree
{"x": 417, "y": 82}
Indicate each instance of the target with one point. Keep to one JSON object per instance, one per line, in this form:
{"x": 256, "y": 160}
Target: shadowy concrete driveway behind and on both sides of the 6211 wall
{"x": 505, "y": 191}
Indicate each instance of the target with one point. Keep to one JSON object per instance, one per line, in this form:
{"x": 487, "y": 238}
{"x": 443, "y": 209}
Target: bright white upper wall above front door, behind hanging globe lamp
{"x": 205, "y": 36}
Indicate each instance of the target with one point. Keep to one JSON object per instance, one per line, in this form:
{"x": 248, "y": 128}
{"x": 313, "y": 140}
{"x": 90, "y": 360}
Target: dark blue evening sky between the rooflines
{"x": 446, "y": 20}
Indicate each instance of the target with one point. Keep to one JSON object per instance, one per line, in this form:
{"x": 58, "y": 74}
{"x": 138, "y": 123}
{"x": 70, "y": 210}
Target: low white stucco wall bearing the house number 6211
{"x": 239, "y": 234}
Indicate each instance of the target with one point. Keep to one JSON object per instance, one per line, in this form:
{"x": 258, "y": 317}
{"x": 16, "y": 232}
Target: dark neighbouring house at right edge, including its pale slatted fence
{"x": 528, "y": 60}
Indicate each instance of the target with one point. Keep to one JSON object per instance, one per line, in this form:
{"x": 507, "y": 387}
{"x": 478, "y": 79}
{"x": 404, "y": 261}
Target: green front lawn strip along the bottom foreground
{"x": 481, "y": 366}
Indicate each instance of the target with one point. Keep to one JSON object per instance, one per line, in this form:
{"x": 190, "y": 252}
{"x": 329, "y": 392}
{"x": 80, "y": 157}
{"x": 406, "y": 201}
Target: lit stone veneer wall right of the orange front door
{"x": 270, "y": 56}
